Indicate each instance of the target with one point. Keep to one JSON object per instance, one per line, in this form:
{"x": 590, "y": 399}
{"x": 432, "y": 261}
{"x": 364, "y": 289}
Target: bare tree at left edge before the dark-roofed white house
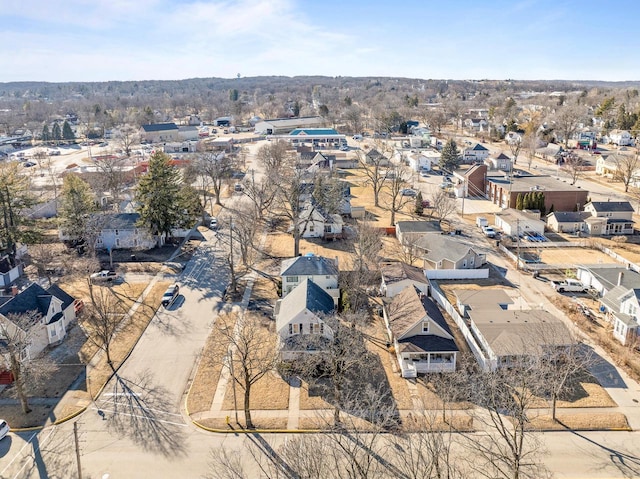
{"x": 16, "y": 334}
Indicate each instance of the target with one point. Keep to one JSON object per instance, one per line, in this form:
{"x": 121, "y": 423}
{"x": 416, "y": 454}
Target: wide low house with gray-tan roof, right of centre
{"x": 448, "y": 252}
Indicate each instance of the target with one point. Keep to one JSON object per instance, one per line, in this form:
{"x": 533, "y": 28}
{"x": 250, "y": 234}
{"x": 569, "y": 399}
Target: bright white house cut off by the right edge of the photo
{"x": 622, "y": 306}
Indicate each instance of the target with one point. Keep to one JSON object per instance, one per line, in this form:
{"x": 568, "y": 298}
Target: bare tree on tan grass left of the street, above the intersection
{"x": 103, "y": 318}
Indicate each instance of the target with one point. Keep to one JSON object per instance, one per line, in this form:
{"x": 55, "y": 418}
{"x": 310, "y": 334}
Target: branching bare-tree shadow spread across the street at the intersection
{"x": 139, "y": 410}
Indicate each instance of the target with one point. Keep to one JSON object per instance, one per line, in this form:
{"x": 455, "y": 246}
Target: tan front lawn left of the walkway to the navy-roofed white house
{"x": 270, "y": 393}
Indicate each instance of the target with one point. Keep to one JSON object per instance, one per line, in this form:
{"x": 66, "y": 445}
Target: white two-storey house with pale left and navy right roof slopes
{"x": 300, "y": 319}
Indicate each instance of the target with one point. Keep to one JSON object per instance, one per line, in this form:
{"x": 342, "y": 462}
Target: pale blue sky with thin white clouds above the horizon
{"x": 102, "y": 40}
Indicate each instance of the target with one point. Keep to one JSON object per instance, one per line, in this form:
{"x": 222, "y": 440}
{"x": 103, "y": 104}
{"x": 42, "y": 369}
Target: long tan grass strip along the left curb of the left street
{"x": 126, "y": 340}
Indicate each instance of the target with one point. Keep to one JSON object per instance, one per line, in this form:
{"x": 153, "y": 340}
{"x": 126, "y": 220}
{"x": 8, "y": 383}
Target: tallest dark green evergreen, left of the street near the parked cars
{"x": 158, "y": 195}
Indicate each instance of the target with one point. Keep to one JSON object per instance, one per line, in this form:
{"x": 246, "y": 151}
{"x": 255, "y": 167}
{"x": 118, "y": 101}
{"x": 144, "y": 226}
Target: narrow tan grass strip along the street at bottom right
{"x": 580, "y": 422}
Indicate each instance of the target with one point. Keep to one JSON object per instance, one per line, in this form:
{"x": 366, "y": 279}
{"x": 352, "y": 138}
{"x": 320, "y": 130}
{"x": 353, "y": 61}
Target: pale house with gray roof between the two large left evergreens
{"x": 121, "y": 231}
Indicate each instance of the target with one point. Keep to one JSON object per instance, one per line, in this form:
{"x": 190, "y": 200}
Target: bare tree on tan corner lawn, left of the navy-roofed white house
{"x": 252, "y": 351}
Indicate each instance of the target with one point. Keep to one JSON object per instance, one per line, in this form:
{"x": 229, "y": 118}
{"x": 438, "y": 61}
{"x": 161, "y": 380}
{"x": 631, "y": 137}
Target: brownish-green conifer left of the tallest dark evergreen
{"x": 76, "y": 205}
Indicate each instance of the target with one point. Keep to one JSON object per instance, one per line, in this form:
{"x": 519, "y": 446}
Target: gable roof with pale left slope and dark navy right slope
{"x": 307, "y": 295}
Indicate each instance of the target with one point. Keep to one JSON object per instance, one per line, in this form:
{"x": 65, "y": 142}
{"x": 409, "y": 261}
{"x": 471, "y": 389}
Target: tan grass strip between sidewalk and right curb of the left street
{"x": 205, "y": 382}
